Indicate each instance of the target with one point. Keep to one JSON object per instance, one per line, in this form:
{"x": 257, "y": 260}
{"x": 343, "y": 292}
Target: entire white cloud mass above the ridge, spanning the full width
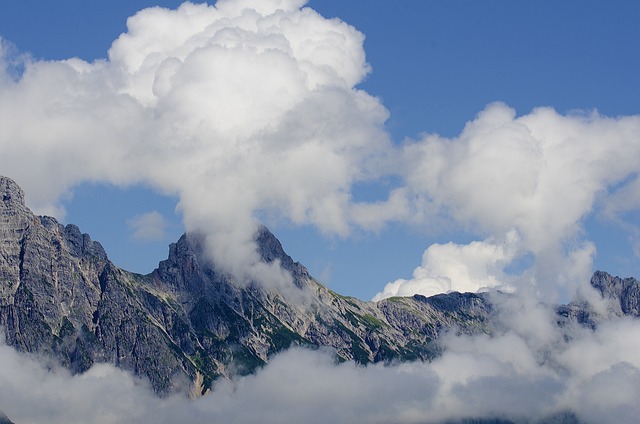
{"x": 252, "y": 108}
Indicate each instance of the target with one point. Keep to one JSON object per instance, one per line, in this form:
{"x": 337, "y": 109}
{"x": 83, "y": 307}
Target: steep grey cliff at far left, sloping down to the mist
{"x": 60, "y": 296}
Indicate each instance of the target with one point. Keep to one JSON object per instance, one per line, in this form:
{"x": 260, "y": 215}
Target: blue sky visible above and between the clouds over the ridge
{"x": 435, "y": 65}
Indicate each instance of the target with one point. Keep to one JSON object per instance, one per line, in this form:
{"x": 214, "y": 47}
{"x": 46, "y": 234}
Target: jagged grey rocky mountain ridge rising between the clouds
{"x": 187, "y": 323}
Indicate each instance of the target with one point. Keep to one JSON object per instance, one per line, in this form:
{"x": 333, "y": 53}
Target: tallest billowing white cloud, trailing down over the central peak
{"x": 237, "y": 108}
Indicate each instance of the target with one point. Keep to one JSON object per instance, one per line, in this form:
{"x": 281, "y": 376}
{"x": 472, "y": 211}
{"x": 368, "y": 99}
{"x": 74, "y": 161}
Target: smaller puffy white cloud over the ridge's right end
{"x": 525, "y": 183}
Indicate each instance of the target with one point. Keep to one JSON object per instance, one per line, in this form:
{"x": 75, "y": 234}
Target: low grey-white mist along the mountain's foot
{"x": 531, "y": 369}
